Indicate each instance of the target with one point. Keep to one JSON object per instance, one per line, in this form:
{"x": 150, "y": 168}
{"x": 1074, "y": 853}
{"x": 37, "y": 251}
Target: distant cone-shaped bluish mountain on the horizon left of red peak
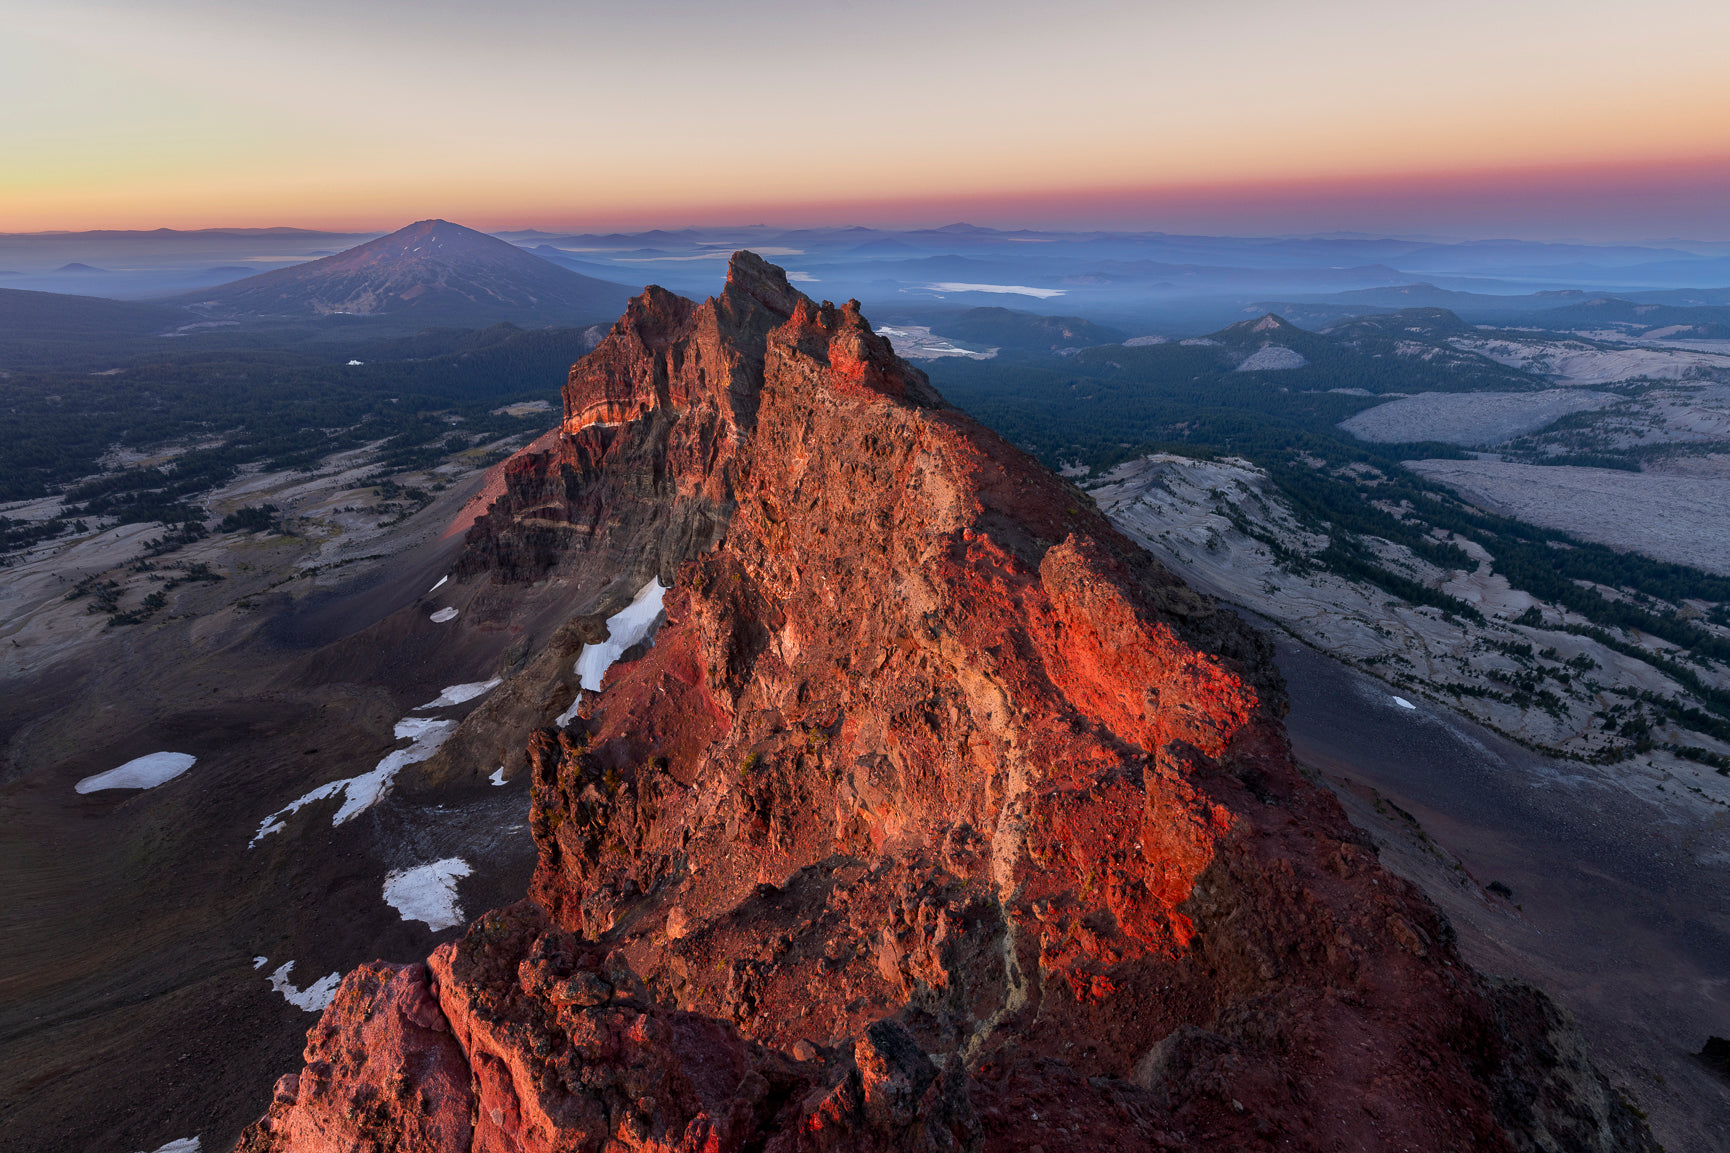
{"x": 433, "y": 273}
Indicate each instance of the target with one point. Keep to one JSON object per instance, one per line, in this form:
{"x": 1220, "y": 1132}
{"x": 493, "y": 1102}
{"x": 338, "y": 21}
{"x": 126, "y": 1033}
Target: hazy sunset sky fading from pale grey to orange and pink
{"x": 1482, "y": 117}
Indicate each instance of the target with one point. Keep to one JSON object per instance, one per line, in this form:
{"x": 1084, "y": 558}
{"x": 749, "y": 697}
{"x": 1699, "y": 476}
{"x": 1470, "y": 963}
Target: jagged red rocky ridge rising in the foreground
{"x": 937, "y": 818}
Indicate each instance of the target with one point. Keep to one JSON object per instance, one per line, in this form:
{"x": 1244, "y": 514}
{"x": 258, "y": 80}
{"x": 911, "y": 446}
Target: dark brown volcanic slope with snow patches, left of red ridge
{"x": 131, "y": 1007}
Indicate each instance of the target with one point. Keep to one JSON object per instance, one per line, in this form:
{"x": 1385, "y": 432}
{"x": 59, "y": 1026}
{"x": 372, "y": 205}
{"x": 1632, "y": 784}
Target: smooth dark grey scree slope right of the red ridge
{"x": 1618, "y": 910}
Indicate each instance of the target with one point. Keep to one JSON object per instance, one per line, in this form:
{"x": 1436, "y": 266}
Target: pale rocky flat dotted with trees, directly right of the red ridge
{"x": 1193, "y": 517}
